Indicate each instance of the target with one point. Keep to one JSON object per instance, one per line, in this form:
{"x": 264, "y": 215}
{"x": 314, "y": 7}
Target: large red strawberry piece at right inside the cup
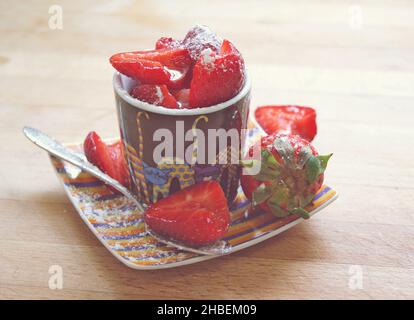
{"x": 216, "y": 77}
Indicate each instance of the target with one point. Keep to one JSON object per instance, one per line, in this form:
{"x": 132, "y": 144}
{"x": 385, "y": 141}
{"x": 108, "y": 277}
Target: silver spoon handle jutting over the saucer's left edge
{"x": 55, "y": 148}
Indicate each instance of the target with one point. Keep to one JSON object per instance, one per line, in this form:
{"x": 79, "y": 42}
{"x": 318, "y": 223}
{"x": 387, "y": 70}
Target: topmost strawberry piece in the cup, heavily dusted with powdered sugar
{"x": 200, "y": 38}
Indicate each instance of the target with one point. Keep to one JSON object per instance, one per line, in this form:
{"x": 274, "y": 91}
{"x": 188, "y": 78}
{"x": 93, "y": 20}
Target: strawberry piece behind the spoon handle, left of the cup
{"x": 109, "y": 158}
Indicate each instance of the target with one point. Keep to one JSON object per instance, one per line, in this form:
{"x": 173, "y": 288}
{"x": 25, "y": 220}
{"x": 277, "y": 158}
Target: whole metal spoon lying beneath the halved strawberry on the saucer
{"x": 58, "y": 150}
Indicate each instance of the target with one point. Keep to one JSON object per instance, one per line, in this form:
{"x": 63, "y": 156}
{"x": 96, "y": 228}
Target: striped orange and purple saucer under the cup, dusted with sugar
{"x": 116, "y": 222}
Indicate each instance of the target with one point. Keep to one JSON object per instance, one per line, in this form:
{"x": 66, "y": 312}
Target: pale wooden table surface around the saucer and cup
{"x": 351, "y": 60}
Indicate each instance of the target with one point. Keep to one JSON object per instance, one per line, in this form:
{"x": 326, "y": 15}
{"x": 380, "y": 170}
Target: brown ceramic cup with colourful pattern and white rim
{"x": 142, "y": 124}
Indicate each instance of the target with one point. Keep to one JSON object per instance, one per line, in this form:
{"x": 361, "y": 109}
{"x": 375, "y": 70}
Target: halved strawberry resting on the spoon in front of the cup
{"x": 197, "y": 215}
